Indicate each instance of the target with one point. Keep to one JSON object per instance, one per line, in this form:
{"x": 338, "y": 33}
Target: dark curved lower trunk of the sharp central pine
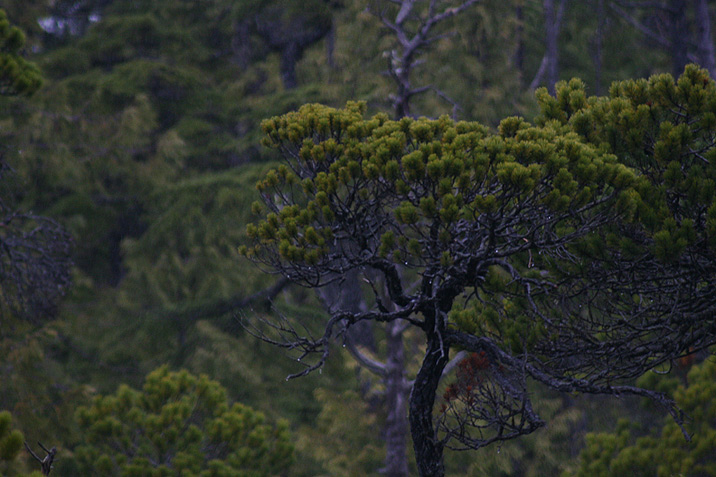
{"x": 428, "y": 450}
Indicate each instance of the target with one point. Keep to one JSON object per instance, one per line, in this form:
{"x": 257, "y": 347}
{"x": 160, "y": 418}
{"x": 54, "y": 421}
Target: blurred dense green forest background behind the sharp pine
{"x": 143, "y": 143}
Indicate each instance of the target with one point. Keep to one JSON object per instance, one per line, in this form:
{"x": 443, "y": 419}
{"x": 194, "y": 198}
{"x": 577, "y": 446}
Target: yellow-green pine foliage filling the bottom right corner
{"x": 665, "y": 452}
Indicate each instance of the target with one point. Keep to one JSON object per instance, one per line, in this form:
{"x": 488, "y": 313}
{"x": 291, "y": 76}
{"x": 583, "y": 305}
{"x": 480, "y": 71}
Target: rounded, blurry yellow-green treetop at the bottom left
{"x": 179, "y": 424}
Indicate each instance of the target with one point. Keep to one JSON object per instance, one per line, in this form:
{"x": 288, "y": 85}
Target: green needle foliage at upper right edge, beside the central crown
{"x": 663, "y": 129}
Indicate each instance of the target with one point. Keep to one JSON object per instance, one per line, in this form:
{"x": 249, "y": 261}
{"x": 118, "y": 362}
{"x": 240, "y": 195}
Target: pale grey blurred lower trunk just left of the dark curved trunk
{"x": 396, "y": 426}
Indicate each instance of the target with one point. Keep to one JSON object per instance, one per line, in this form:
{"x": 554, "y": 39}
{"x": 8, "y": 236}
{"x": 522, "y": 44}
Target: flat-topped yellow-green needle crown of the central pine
{"x": 432, "y": 178}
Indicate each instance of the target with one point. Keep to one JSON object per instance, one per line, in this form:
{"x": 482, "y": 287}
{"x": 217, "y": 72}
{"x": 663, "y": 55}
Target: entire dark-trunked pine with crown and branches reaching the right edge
{"x": 536, "y": 248}
